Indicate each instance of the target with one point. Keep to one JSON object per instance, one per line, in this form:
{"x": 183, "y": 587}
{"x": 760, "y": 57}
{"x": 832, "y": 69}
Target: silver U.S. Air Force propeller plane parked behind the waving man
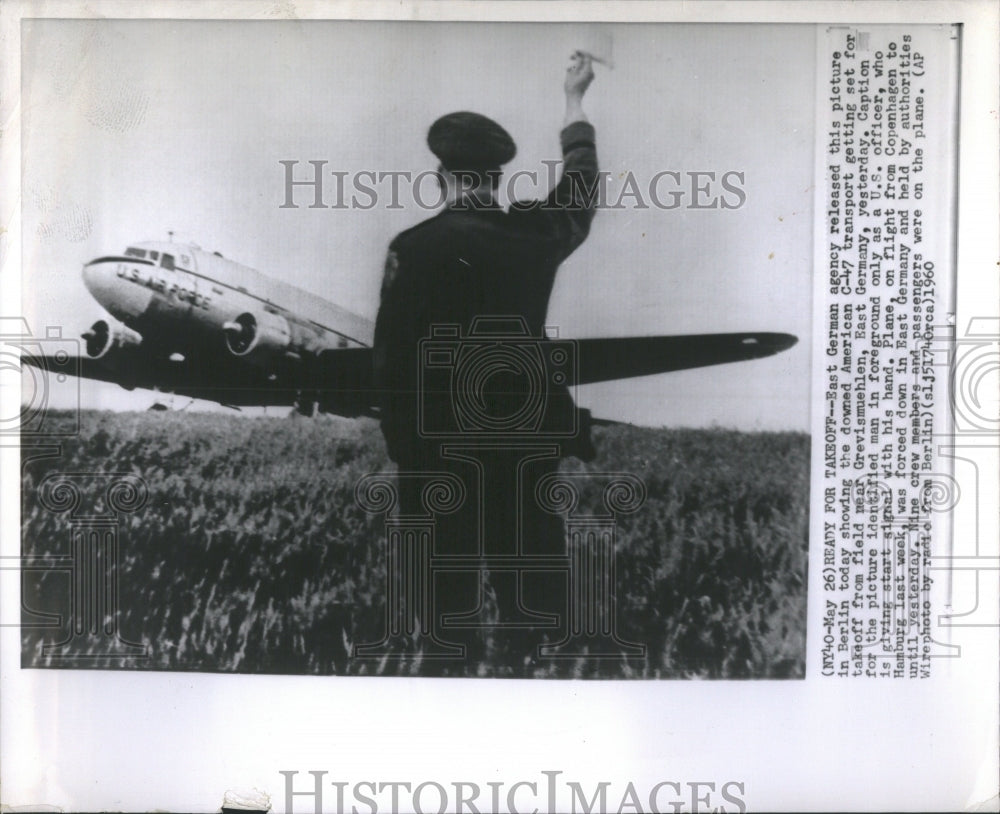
{"x": 196, "y": 324}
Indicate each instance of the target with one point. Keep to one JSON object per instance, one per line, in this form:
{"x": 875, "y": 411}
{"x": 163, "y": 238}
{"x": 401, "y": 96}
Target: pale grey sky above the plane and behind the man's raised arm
{"x": 132, "y": 128}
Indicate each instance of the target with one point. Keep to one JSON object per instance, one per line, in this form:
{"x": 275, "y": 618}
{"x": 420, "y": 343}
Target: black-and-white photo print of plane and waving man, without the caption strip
{"x": 422, "y": 349}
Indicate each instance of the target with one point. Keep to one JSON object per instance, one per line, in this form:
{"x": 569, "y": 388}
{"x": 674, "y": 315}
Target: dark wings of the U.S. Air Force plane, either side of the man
{"x": 339, "y": 381}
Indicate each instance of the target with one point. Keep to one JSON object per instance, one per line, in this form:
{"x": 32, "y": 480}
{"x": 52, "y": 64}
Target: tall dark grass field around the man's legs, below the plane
{"x": 251, "y": 554}
